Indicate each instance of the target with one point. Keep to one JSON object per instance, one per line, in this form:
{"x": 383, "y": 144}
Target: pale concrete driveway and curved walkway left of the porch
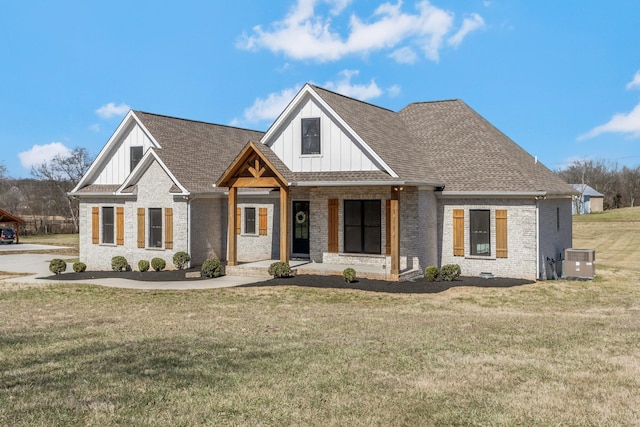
{"x": 37, "y": 265}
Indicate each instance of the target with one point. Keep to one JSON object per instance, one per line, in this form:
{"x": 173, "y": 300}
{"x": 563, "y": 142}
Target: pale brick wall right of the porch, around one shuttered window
{"x": 521, "y": 238}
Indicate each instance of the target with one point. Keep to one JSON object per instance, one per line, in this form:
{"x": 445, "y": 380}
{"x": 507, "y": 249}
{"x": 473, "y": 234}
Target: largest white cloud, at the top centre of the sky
{"x": 304, "y": 34}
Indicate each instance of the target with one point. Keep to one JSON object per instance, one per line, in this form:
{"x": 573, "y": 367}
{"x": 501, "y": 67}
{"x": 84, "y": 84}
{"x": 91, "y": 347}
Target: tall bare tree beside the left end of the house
{"x": 64, "y": 172}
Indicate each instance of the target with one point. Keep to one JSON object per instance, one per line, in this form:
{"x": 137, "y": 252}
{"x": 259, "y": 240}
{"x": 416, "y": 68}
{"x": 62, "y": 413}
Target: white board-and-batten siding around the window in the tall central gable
{"x": 339, "y": 152}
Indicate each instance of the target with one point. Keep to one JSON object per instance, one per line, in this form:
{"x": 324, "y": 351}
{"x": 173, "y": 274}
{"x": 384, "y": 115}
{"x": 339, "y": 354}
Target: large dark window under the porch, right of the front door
{"x": 362, "y": 226}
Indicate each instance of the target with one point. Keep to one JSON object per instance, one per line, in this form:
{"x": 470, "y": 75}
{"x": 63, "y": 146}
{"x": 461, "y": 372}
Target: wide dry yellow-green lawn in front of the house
{"x": 551, "y": 353}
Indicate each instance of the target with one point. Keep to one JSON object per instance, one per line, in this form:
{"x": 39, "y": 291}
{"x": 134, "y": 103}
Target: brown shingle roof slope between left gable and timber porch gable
{"x": 197, "y": 153}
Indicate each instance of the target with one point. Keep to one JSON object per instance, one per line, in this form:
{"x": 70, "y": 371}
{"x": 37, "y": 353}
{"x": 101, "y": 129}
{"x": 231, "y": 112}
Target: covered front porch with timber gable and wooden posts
{"x": 254, "y": 168}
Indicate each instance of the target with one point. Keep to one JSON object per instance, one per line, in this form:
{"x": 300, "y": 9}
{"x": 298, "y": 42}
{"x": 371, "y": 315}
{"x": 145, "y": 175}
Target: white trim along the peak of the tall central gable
{"x": 297, "y": 101}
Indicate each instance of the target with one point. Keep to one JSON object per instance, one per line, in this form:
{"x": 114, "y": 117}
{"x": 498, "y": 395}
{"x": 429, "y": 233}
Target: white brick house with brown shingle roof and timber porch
{"x": 333, "y": 180}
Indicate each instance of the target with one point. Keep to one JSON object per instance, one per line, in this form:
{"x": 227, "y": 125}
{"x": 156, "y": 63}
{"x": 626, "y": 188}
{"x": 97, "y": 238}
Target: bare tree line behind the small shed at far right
{"x": 620, "y": 186}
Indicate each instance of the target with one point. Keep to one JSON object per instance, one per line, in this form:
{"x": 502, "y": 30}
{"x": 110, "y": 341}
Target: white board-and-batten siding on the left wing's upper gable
{"x": 117, "y": 169}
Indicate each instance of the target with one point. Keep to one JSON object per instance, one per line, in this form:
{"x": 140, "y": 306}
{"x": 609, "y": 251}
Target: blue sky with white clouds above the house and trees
{"x": 561, "y": 78}
